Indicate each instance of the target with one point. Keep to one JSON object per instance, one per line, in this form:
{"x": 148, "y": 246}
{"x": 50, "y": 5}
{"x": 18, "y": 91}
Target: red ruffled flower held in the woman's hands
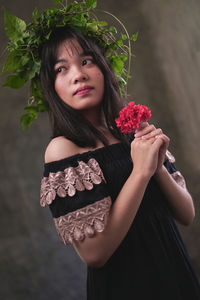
{"x": 131, "y": 116}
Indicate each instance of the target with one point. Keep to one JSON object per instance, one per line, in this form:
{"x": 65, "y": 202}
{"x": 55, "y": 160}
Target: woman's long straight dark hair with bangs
{"x": 65, "y": 120}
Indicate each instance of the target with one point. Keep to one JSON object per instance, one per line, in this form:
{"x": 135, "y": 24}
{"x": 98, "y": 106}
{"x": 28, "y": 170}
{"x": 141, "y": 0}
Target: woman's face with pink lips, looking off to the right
{"x": 79, "y": 82}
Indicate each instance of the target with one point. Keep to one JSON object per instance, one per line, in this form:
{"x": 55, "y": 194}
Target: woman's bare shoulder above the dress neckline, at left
{"x": 60, "y": 148}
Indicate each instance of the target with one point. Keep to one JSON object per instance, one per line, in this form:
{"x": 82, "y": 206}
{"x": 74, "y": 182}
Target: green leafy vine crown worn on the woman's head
{"x": 23, "y": 61}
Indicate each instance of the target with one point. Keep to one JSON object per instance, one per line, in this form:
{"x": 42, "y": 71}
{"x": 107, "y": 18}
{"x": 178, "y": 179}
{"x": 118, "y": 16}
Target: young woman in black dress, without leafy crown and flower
{"x": 114, "y": 198}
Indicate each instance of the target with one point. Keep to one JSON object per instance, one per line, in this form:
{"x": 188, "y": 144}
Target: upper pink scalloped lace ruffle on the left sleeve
{"x": 70, "y": 180}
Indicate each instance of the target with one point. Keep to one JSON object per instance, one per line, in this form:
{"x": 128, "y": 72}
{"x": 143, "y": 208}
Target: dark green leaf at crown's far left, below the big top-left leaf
{"x": 15, "y": 60}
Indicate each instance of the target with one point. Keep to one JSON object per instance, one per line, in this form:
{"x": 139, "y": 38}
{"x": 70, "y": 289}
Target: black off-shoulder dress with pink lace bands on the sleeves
{"x": 151, "y": 262}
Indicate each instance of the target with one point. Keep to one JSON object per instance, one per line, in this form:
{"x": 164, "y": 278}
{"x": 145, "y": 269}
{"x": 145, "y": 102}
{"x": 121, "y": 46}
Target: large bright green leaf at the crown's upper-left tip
{"x": 14, "y": 27}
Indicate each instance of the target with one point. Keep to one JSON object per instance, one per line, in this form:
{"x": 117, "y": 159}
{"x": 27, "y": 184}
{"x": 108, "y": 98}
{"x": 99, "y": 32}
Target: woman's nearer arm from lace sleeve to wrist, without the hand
{"x": 97, "y": 250}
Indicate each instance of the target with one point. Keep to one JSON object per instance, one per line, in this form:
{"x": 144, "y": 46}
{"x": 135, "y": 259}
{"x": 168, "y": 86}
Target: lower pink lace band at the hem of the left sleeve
{"x": 83, "y": 222}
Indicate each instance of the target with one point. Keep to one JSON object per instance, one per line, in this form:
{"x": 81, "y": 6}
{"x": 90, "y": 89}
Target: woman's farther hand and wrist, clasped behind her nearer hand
{"x": 145, "y": 132}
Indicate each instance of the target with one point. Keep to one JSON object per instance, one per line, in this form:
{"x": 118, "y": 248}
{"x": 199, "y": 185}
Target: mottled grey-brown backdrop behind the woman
{"x": 34, "y": 264}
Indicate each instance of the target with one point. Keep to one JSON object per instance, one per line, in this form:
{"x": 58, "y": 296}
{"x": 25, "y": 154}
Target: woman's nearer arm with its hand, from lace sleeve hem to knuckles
{"x": 97, "y": 250}
